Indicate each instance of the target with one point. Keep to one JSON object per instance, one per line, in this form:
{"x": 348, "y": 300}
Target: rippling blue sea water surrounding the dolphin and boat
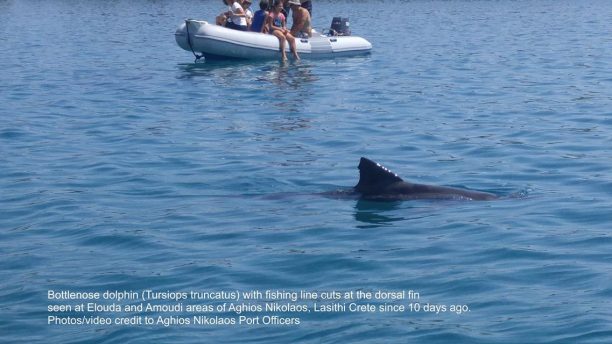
{"x": 125, "y": 166}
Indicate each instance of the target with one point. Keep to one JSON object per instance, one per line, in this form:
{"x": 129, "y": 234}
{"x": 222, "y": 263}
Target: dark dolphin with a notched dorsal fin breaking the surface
{"x": 376, "y": 182}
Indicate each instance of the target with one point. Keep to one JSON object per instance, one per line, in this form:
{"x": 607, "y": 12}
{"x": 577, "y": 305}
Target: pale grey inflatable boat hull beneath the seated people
{"x": 217, "y": 42}
